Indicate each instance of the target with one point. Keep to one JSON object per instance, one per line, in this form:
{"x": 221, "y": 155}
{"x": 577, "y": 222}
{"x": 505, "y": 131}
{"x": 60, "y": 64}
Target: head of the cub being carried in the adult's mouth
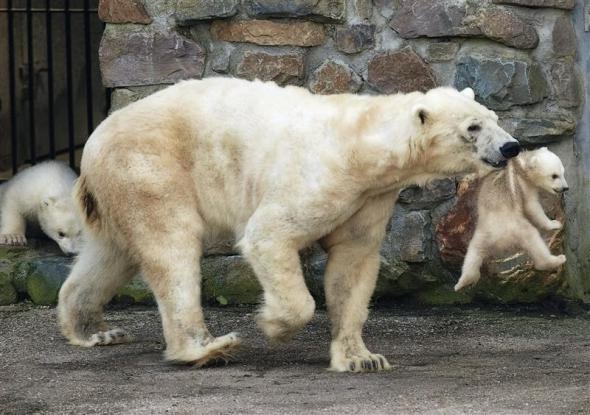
{"x": 545, "y": 170}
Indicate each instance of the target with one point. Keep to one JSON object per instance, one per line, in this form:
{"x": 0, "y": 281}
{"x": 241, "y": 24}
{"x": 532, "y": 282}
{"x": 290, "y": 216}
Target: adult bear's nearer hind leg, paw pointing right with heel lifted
{"x": 170, "y": 264}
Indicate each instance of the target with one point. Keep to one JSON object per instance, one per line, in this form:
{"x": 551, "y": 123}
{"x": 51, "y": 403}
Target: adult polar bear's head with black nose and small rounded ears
{"x": 461, "y": 135}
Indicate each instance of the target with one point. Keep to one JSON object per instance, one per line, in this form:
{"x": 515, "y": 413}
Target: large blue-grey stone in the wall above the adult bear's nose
{"x": 501, "y": 83}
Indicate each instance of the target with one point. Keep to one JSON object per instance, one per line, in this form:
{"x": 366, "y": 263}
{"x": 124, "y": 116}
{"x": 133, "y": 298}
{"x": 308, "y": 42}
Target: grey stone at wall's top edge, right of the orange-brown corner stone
{"x": 189, "y": 11}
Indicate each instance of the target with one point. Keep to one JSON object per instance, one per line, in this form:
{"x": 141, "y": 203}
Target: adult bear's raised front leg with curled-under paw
{"x": 288, "y": 305}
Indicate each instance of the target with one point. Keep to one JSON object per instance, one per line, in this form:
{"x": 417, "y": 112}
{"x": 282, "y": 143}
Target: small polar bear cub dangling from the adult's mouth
{"x": 510, "y": 214}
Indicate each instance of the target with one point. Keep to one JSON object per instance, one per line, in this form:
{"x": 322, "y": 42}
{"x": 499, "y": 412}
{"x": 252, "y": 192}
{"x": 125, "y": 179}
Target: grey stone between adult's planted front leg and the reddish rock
{"x": 407, "y": 236}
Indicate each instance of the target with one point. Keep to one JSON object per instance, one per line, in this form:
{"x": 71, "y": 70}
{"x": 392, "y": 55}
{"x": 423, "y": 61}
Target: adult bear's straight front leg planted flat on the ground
{"x": 351, "y": 275}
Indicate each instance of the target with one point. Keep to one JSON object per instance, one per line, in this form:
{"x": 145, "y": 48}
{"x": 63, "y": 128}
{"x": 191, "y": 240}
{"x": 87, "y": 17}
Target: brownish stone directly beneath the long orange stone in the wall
{"x": 285, "y": 68}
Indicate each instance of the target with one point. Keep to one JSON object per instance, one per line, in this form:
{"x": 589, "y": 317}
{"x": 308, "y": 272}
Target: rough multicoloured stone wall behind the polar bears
{"x": 518, "y": 55}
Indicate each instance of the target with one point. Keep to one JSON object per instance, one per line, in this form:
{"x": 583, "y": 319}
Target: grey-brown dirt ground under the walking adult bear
{"x": 448, "y": 361}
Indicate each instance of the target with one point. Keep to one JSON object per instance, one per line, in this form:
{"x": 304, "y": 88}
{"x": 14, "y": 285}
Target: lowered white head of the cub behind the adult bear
{"x": 59, "y": 220}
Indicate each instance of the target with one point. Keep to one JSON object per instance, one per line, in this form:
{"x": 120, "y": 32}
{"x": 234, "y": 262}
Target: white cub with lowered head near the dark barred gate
{"x": 41, "y": 195}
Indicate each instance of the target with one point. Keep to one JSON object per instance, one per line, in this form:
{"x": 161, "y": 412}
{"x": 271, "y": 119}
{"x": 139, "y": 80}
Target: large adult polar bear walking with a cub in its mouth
{"x": 276, "y": 167}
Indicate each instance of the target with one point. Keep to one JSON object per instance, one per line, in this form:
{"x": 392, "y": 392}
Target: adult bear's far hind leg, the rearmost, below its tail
{"x": 98, "y": 272}
